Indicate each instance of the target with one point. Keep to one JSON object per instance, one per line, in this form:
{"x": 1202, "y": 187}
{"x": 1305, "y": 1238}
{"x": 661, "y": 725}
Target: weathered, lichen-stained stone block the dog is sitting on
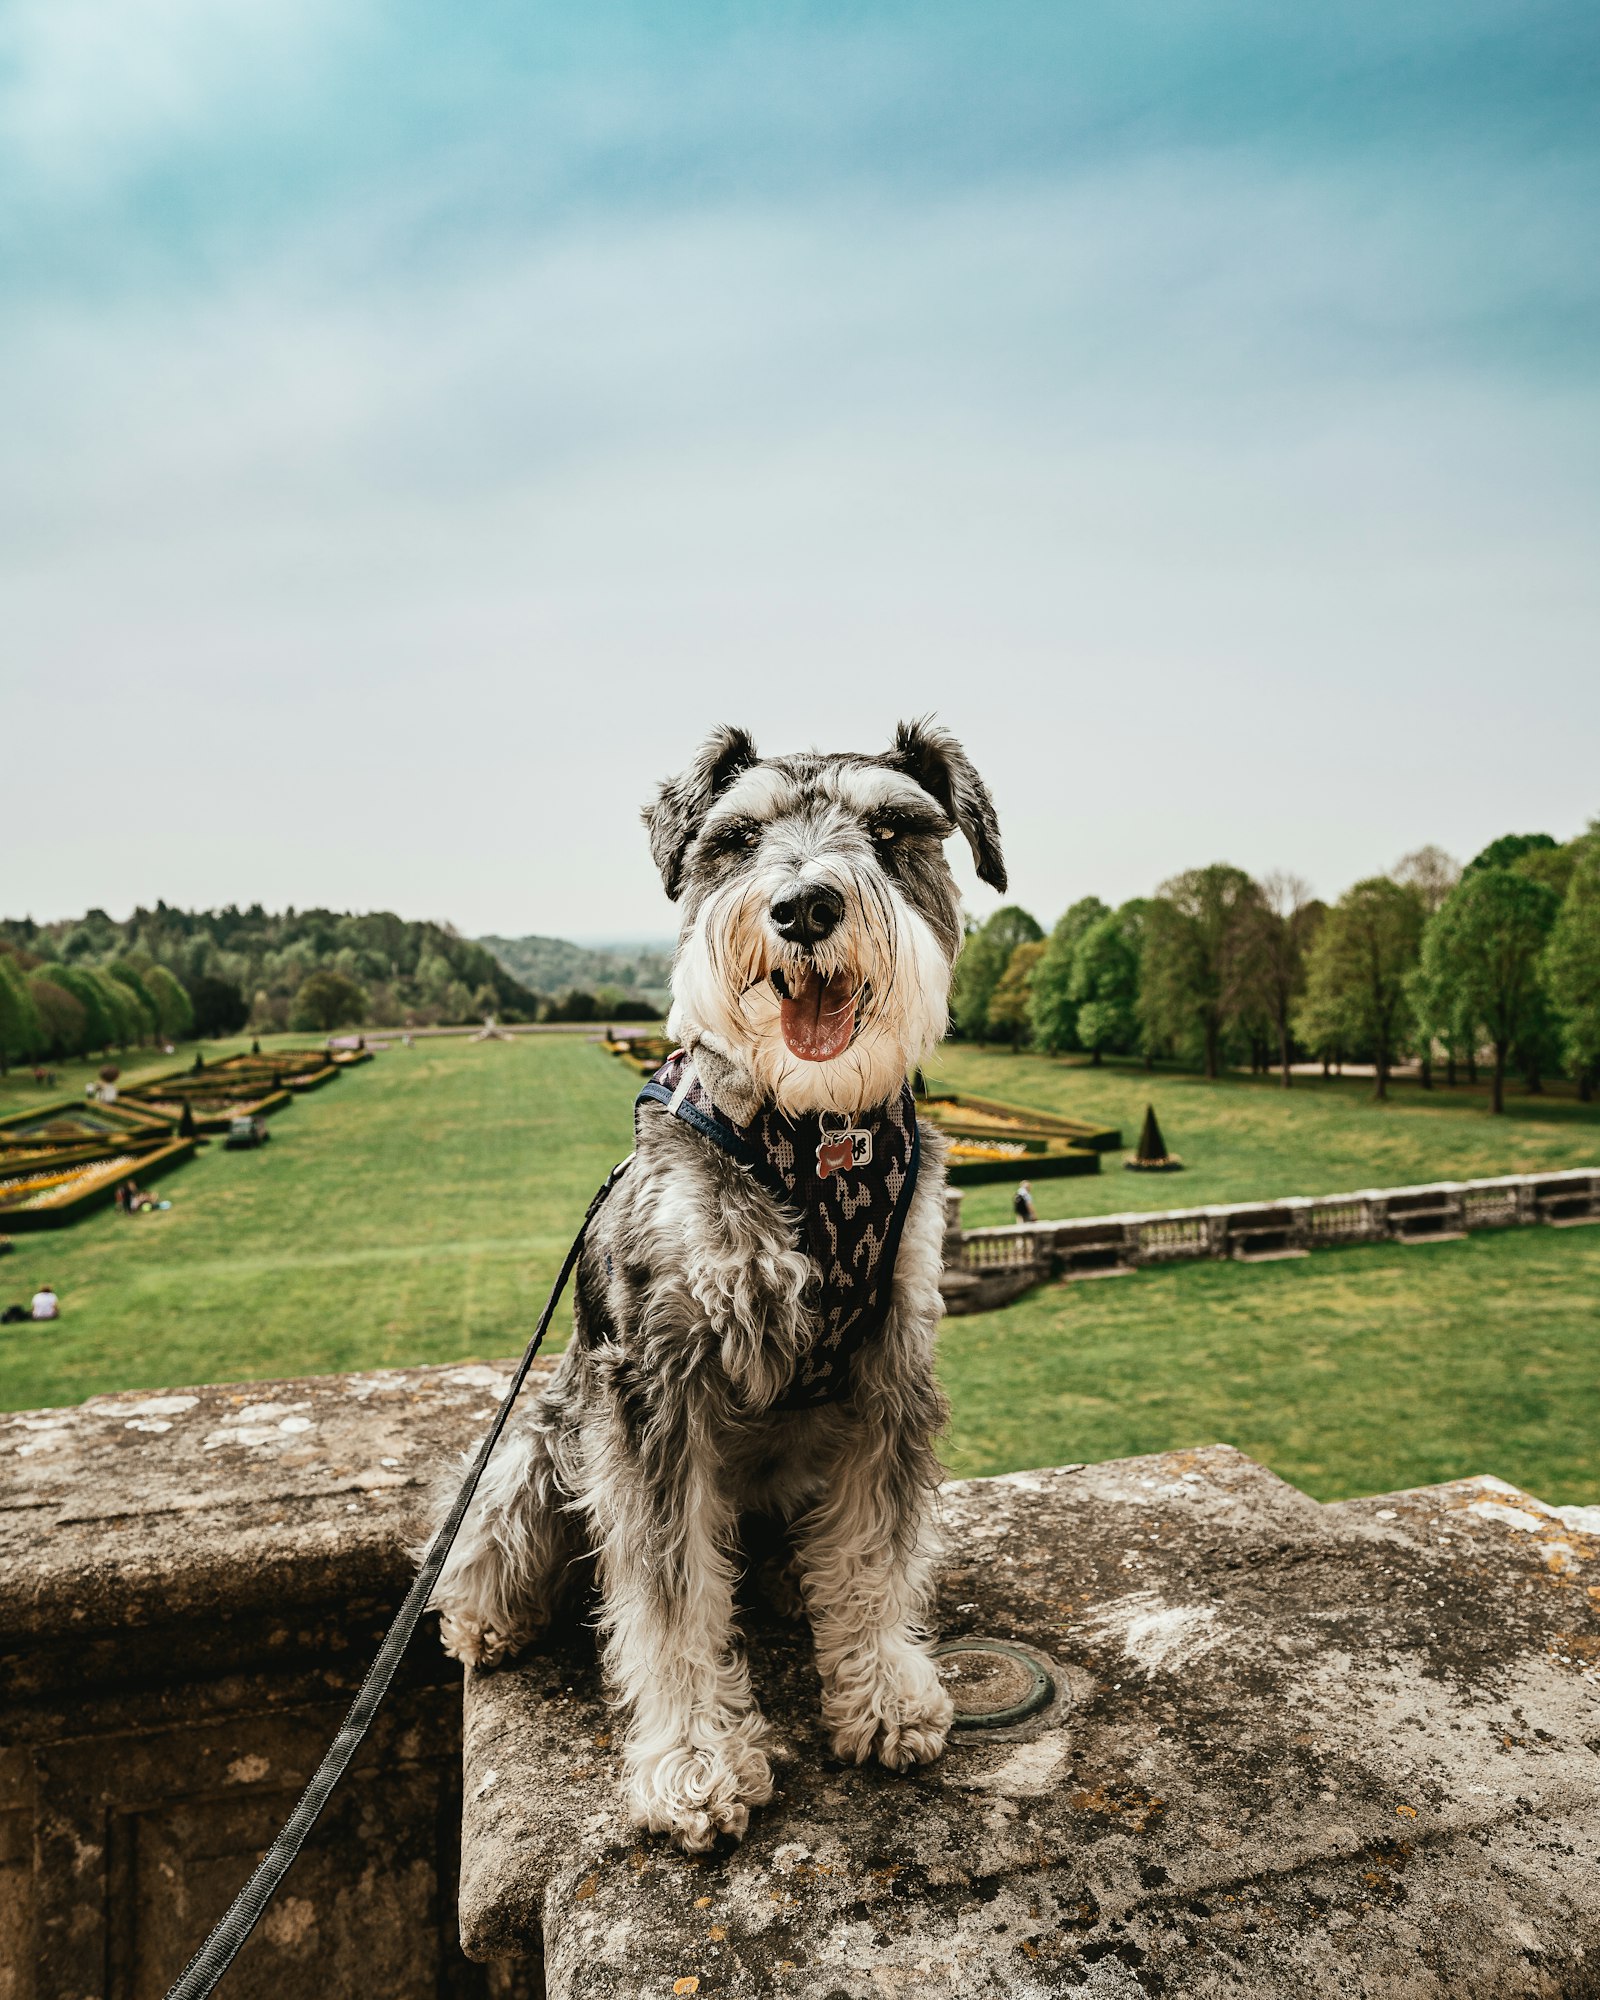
{"x": 1301, "y": 1751}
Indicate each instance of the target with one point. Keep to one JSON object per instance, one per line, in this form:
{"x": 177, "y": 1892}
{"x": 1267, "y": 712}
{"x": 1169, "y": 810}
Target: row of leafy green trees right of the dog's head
{"x": 1497, "y": 965}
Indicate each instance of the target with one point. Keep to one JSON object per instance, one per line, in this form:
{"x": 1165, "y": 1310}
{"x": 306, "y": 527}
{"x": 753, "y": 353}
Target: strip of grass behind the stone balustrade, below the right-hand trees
{"x": 1247, "y": 1139}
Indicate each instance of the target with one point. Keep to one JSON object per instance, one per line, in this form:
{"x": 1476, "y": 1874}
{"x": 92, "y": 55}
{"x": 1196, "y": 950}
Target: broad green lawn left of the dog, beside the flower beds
{"x": 415, "y": 1211}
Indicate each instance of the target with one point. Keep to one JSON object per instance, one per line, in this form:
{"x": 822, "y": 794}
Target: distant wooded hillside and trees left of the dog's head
{"x": 95, "y": 983}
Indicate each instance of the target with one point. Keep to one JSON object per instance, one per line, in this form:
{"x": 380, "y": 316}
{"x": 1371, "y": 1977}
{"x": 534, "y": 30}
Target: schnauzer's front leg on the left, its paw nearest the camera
{"x": 693, "y": 1759}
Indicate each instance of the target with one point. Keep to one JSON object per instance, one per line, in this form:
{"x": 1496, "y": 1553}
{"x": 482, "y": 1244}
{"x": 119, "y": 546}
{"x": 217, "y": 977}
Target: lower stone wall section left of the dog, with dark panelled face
{"x": 191, "y": 1591}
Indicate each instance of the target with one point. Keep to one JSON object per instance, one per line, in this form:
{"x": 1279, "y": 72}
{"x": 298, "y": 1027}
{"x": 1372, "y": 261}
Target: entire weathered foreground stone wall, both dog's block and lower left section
{"x": 1287, "y": 1751}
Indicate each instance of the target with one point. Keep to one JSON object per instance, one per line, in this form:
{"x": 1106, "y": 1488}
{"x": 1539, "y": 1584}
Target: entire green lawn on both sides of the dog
{"x": 419, "y": 1209}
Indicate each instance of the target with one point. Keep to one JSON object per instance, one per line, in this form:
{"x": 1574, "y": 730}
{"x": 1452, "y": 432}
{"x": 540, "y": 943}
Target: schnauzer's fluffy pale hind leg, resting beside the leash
{"x": 511, "y": 1559}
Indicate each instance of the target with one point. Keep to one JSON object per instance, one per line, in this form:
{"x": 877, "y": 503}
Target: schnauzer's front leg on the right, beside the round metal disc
{"x": 867, "y": 1557}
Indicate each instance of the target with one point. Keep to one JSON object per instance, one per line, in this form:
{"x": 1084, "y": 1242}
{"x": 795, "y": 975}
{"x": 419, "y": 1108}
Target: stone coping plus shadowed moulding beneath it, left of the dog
{"x": 157, "y": 1547}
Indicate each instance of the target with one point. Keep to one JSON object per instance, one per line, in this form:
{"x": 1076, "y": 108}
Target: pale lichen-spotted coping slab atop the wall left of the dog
{"x": 143, "y": 1507}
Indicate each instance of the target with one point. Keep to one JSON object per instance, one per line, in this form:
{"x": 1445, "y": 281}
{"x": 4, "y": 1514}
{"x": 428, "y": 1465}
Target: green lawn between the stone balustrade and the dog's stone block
{"x": 1349, "y": 1373}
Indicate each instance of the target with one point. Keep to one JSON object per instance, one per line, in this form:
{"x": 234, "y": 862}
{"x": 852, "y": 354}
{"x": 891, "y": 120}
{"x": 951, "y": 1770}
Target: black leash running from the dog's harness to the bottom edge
{"x": 203, "y": 1973}
